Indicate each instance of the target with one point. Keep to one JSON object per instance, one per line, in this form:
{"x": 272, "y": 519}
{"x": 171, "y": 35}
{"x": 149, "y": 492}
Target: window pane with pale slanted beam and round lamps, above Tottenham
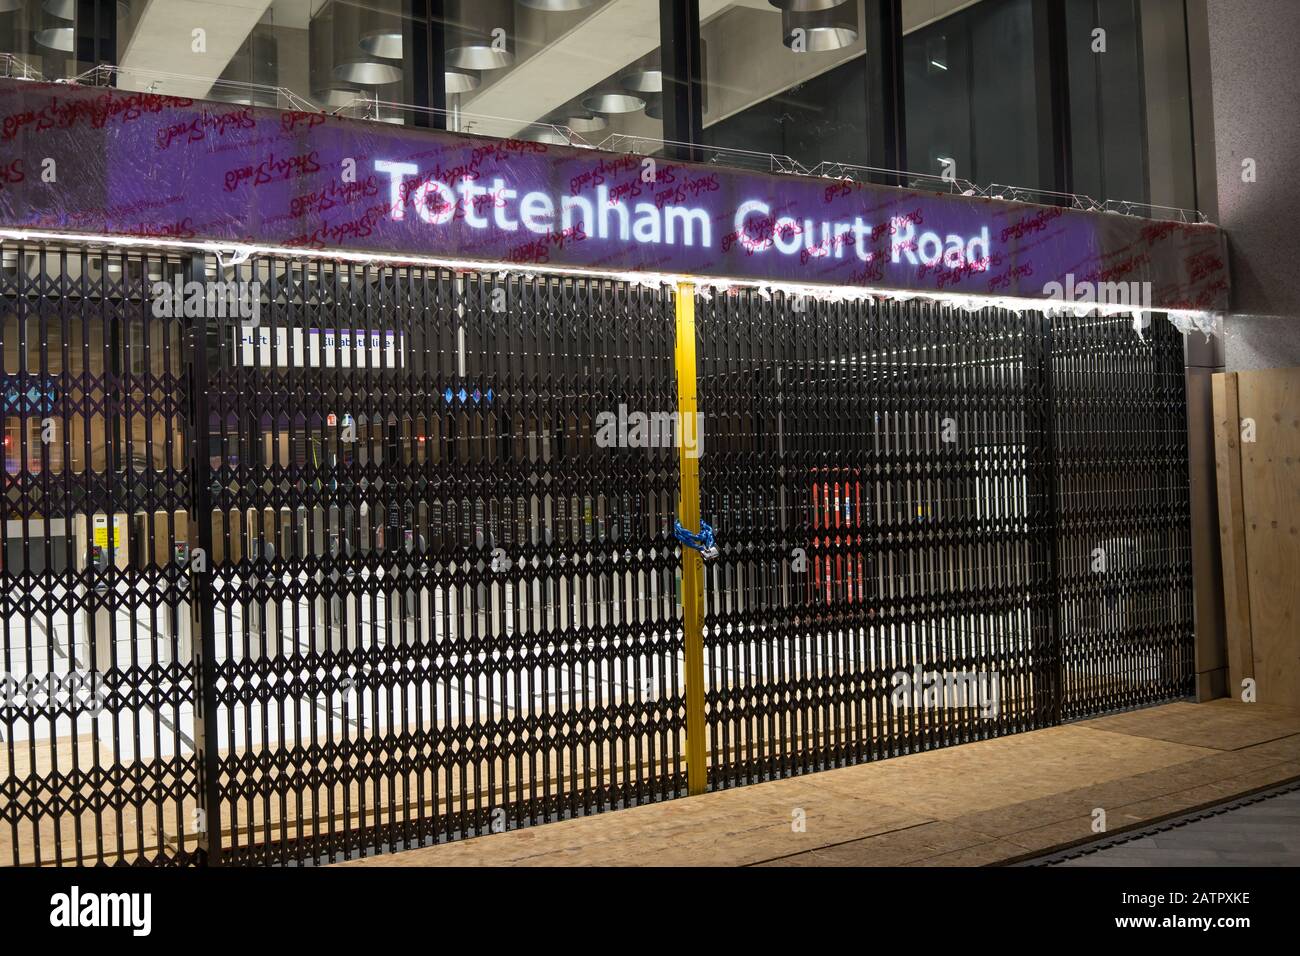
{"x": 539, "y": 70}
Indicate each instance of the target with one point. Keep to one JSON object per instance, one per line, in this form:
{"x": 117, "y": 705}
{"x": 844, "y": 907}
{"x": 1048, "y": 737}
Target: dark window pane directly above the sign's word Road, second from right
{"x": 970, "y": 90}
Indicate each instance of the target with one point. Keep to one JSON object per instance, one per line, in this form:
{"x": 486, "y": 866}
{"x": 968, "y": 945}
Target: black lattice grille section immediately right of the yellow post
{"x": 881, "y": 482}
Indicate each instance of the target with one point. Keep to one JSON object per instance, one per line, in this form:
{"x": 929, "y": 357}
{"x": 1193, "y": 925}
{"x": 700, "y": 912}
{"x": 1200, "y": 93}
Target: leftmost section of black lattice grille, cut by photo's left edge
{"x": 97, "y": 764}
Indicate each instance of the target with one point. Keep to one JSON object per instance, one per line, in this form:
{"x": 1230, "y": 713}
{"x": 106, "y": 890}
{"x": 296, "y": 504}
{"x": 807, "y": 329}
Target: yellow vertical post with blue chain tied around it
{"x": 692, "y": 564}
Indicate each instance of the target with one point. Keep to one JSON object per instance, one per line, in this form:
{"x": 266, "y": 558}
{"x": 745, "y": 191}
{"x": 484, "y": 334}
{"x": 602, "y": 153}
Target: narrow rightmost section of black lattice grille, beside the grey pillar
{"x": 1124, "y": 534}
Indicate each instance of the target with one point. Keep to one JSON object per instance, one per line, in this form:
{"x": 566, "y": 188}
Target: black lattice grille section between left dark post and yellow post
{"x": 439, "y": 607}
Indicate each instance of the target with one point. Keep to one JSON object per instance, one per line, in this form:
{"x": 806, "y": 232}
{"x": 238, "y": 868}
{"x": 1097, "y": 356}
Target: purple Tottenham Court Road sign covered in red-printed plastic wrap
{"x": 107, "y": 162}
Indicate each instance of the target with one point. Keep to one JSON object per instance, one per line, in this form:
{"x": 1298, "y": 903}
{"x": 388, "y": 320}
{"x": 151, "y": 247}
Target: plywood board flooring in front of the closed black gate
{"x": 980, "y": 804}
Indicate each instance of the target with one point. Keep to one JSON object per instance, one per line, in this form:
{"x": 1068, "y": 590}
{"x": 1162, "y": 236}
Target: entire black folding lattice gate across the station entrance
{"x": 406, "y": 547}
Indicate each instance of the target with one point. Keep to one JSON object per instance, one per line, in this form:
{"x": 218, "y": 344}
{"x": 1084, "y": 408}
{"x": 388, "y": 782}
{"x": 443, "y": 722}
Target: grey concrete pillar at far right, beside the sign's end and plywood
{"x": 1241, "y": 66}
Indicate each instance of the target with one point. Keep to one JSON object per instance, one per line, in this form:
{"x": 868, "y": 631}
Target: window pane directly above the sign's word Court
{"x": 786, "y": 83}
